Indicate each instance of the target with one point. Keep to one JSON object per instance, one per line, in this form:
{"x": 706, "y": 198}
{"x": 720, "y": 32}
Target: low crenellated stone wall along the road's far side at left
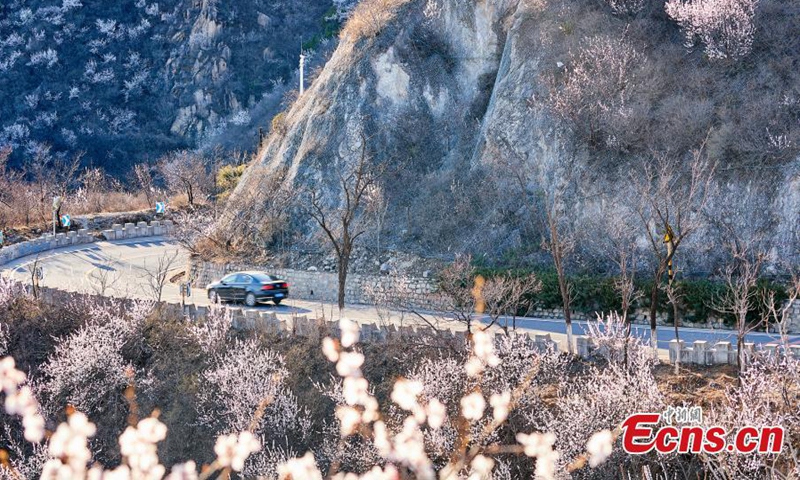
{"x": 81, "y": 237}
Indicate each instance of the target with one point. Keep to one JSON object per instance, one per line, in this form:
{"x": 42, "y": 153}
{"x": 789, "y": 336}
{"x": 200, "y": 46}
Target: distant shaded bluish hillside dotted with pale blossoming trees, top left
{"x": 126, "y": 81}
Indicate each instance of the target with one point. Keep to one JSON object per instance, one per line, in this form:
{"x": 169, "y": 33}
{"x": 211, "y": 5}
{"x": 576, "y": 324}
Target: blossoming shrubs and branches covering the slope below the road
{"x": 124, "y": 366}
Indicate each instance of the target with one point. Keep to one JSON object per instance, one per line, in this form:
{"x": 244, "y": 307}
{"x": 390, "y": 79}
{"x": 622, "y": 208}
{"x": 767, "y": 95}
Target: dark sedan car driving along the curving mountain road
{"x": 251, "y": 288}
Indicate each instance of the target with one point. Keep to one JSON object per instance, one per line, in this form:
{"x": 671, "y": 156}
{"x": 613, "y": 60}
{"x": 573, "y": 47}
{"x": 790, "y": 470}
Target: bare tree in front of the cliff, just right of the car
{"x": 348, "y": 219}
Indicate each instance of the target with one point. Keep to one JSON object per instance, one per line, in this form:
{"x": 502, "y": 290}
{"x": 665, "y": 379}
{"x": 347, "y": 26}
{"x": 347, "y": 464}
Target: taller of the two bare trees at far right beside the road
{"x": 741, "y": 295}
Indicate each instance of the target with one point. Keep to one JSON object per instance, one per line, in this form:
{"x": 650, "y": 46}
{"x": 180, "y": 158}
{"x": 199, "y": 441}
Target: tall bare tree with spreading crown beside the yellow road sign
{"x": 671, "y": 197}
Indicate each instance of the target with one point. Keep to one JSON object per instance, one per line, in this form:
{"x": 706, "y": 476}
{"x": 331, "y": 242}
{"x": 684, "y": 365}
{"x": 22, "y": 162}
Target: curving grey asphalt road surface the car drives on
{"x": 120, "y": 269}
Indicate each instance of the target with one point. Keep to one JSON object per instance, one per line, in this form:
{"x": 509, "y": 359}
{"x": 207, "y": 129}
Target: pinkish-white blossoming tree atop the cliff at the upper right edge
{"x": 725, "y": 27}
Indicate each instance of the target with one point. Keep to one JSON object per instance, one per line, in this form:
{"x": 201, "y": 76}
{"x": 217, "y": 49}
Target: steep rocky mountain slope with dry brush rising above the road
{"x": 448, "y": 92}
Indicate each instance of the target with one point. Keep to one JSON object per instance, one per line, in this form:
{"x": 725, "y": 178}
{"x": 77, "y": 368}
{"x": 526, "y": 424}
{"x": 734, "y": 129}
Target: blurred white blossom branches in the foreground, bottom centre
{"x": 405, "y": 449}
